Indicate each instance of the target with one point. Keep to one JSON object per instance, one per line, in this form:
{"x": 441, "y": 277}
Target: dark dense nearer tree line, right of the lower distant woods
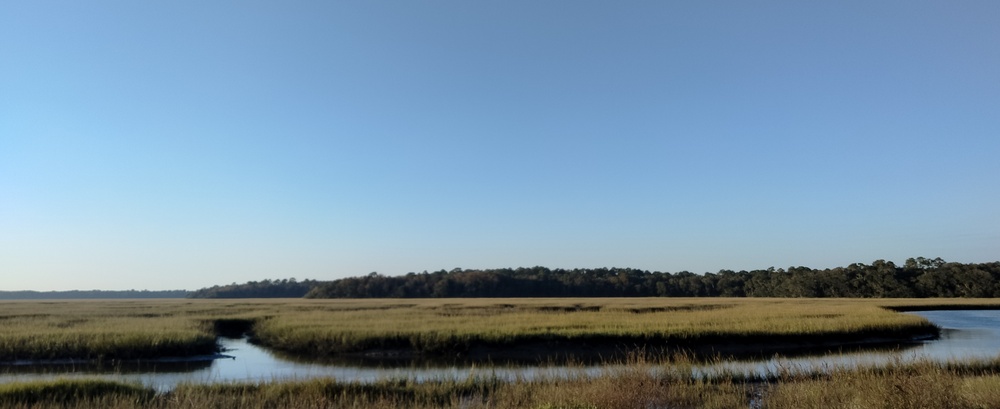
{"x": 918, "y": 277}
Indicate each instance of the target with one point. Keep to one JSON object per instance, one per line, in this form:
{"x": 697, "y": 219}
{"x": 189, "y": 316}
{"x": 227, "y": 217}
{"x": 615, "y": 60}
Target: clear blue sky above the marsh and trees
{"x": 182, "y": 144}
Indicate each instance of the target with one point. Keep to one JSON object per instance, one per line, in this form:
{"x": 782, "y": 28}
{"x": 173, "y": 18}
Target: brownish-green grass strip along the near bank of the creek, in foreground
{"x": 638, "y": 384}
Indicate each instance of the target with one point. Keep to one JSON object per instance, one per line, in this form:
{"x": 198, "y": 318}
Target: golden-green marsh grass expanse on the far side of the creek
{"x": 140, "y": 329}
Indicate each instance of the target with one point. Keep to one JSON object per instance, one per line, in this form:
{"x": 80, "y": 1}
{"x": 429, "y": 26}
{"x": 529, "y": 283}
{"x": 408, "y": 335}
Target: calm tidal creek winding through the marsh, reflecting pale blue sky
{"x": 964, "y": 335}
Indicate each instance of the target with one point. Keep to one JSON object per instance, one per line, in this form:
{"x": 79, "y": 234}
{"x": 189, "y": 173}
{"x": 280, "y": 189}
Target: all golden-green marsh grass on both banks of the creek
{"x": 315, "y": 329}
